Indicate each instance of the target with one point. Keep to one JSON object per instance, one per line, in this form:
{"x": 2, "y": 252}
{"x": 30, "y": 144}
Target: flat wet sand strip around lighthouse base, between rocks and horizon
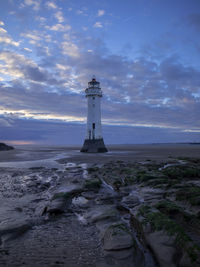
{"x": 158, "y": 152}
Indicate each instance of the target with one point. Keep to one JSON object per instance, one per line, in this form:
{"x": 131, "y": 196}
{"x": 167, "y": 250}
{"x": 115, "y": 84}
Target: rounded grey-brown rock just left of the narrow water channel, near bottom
{"x": 117, "y": 237}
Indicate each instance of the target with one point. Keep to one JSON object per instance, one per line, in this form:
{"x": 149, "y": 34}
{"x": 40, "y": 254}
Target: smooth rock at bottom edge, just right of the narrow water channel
{"x": 162, "y": 246}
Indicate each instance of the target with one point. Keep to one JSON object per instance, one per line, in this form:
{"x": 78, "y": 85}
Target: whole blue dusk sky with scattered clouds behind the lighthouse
{"x": 145, "y": 54}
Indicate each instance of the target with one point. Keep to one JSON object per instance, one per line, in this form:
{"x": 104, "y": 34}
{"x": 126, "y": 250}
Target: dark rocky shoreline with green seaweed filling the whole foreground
{"x": 117, "y": 213}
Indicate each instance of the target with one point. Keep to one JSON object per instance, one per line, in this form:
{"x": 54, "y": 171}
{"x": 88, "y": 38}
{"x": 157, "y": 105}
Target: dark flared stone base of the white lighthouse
{"x": 94, "y": 146}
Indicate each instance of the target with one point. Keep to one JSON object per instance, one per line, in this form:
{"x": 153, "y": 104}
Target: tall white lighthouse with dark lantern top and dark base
{"x": 94, "y": 141}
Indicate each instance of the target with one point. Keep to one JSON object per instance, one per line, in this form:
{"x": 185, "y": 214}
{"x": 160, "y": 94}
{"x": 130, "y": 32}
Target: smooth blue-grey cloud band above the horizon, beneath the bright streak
{"x": 38, "y": 132}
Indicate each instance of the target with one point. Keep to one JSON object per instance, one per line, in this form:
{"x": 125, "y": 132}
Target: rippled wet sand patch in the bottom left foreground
{"x": 61, "y": 242}
